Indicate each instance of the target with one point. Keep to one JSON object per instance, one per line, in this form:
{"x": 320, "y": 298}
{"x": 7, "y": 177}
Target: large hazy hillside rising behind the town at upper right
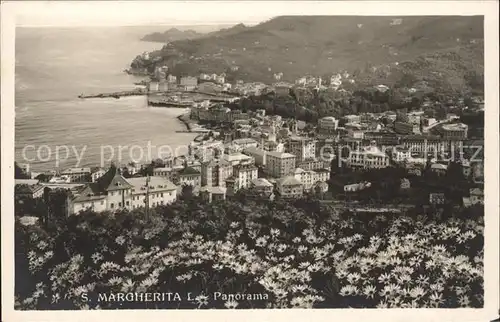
{"x": 322, "y": 45}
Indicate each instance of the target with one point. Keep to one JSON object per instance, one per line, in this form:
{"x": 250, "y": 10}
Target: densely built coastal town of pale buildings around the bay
{"x": 339, "y": 159}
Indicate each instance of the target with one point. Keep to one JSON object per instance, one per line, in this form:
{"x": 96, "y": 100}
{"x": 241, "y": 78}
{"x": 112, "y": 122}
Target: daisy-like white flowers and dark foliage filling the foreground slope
{"x": 300, "y": 255}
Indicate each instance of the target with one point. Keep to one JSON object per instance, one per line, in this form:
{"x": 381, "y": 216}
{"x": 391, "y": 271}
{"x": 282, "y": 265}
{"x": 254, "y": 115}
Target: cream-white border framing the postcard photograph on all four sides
{"x": 99, "y": 13}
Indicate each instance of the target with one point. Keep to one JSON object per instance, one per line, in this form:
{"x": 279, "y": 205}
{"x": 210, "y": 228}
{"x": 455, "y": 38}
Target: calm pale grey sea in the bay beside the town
{"x": 54, "y": 129}
